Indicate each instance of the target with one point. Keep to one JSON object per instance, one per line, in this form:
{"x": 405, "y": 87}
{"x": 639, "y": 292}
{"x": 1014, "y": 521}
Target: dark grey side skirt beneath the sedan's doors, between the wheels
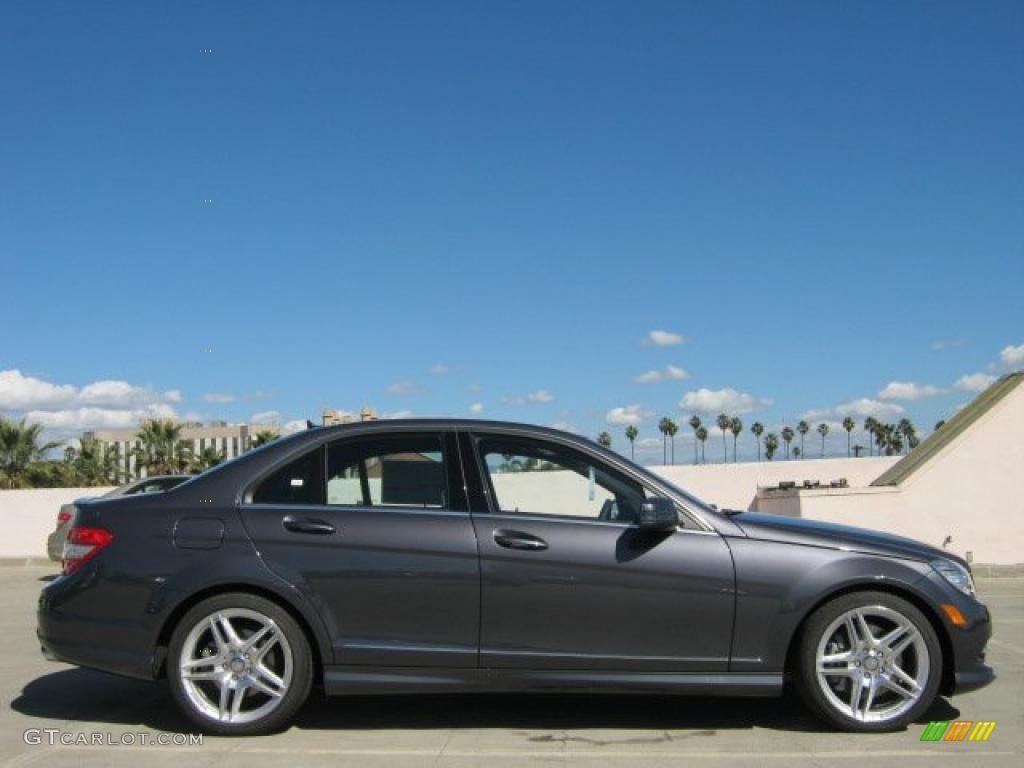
{"x": 390, "y": 680}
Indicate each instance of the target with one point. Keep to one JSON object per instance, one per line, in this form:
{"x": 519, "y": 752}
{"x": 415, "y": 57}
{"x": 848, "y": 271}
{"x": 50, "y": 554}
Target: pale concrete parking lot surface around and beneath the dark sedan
{"x": 472, "y": 731}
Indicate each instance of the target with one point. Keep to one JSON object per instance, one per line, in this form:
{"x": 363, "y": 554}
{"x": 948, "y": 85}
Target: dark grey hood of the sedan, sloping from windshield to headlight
{"x": 817, "y": 534}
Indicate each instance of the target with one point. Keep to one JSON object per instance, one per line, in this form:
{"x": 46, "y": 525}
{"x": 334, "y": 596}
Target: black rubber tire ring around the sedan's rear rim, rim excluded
{"x": 302, "y": 665}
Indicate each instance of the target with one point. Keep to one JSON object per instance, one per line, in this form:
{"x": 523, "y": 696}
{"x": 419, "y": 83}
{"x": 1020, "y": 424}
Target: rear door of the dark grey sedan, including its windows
{"x": 375, "y": 530}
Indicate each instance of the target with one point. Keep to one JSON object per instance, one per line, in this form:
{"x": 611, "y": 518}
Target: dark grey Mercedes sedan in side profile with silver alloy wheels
{"x": 447, "y": 556}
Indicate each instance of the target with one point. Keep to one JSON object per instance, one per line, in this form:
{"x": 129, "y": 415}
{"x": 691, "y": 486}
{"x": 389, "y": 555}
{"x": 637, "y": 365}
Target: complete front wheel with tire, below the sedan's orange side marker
{"x": 893, "y": 675}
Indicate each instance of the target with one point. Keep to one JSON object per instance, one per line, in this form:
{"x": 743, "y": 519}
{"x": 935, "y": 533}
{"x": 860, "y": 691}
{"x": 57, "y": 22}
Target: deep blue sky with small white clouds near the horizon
{"x": 822, "y": 198}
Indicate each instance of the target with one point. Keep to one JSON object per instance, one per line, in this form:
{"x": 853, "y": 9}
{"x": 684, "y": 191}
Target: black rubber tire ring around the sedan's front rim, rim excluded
{"x": 806, "y": 672}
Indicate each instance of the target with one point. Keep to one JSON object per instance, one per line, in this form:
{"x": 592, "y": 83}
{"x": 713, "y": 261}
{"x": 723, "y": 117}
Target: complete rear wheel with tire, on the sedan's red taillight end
{"x": 239, "y": 665}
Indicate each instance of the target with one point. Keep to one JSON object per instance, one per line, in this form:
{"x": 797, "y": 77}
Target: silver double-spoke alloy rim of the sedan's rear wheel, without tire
{"x": 236, "y": 666}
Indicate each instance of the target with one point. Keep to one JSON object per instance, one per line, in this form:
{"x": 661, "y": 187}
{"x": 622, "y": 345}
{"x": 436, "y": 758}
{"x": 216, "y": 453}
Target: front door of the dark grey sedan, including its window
{"x": 569, "y": 580}
